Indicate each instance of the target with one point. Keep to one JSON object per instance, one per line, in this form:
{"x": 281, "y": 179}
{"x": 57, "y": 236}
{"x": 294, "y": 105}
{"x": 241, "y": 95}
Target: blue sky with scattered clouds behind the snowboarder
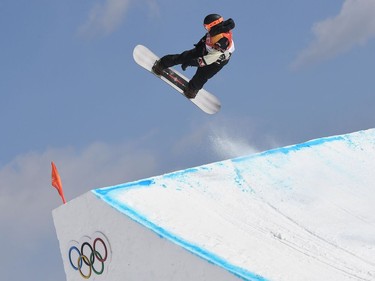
{"x": 71, "y": 93}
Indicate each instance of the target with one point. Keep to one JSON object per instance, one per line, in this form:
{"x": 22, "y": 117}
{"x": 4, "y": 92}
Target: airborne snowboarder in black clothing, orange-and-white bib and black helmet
{"x": 209, "y": 55}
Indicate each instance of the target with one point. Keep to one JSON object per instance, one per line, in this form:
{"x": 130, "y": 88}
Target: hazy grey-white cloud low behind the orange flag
{"x": 26, "y": 194}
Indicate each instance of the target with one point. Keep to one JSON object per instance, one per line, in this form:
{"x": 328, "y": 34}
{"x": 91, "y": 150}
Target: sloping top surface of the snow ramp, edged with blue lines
{"x": 303, "y": 212}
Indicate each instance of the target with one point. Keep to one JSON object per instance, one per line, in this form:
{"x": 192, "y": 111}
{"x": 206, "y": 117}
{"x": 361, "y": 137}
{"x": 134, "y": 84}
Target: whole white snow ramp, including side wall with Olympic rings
{"x": 303, "y": 212}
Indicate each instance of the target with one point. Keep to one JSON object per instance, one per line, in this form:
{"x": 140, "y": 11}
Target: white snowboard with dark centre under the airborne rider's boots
{"x": 206, "y": 101}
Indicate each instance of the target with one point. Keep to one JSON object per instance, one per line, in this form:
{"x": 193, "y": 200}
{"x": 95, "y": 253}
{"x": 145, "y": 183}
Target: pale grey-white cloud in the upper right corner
{"x": 354, "y": 25}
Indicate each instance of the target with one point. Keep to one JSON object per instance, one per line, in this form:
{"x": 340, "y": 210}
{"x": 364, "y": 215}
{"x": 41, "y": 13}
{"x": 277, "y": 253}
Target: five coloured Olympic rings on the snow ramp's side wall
{"x": 90, "y": 258}
